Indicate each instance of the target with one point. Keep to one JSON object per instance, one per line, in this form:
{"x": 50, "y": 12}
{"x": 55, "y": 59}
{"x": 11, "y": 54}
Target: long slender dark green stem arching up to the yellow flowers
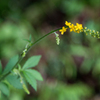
{"x": 32, "y": 44}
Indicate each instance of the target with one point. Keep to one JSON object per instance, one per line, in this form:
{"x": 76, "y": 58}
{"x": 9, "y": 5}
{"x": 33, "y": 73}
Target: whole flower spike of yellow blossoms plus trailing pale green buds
{"x": 79, "y": 28}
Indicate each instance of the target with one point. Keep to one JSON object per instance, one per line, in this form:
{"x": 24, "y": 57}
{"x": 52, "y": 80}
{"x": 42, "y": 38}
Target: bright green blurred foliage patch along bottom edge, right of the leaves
{"x": 65, "y": 92}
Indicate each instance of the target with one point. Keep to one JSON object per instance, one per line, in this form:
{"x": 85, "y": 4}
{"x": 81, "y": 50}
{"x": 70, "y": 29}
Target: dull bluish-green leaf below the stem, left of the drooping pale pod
{"x": 14, "y": 81}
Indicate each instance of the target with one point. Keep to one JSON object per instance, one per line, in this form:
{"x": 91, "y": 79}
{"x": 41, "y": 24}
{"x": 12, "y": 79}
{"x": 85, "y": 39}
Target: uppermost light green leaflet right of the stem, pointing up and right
{"x": 32, "y": 62}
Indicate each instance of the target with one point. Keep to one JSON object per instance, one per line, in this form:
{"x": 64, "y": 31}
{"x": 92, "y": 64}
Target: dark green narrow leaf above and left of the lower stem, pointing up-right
{"x": 10, "y": 64}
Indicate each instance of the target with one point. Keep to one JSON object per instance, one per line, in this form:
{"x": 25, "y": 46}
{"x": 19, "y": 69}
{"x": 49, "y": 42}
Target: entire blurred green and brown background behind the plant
{"x": 71, "y": 71}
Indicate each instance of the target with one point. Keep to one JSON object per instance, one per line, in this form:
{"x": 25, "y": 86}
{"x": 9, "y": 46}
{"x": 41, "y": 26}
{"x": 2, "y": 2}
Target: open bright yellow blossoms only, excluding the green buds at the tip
{"x": 76, "y": 28}
